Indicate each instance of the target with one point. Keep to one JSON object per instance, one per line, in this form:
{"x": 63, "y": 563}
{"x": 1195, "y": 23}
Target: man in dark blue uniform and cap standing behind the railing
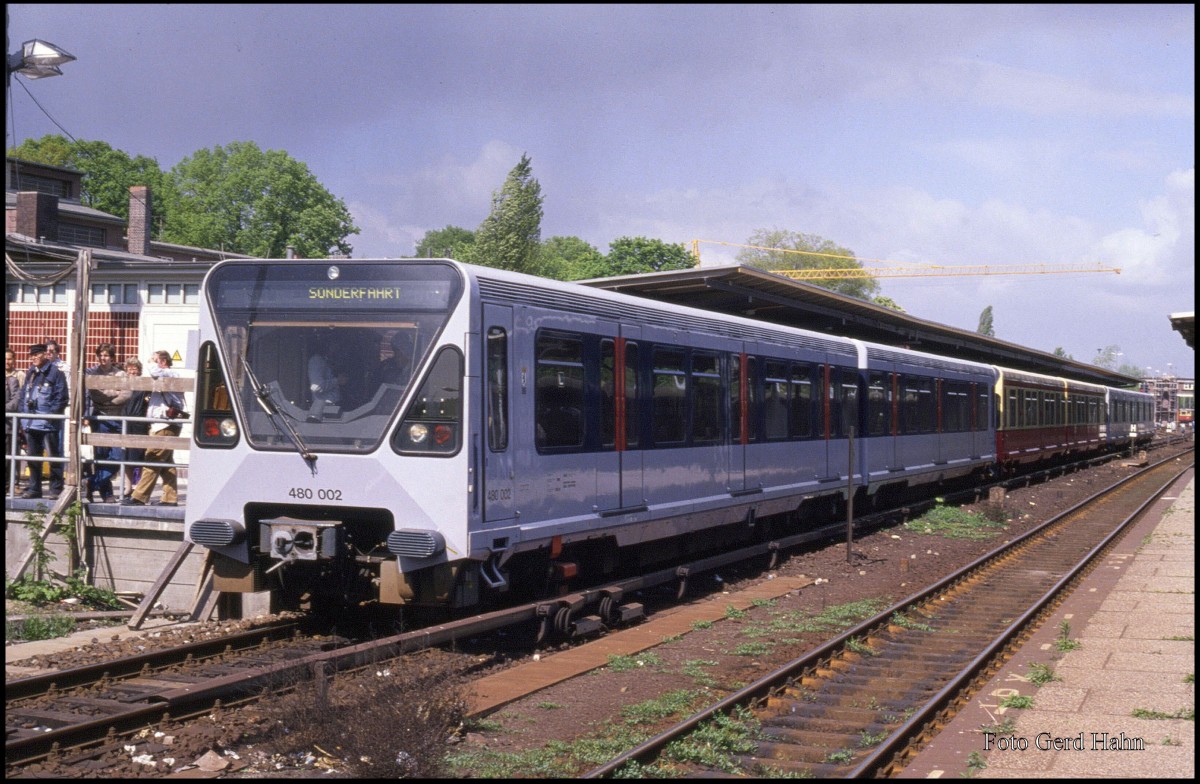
{"x": 45, "y": 392}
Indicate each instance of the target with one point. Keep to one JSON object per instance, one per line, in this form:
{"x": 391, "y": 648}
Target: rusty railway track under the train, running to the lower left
{"x": 93, "y": 710}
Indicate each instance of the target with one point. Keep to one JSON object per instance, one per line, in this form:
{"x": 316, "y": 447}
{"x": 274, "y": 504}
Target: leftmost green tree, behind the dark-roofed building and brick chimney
{"x": 109, "y": 173}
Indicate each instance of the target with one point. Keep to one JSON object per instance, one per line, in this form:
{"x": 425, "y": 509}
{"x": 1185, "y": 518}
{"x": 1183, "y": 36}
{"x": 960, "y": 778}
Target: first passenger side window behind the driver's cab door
{"x": 559, "y": 392}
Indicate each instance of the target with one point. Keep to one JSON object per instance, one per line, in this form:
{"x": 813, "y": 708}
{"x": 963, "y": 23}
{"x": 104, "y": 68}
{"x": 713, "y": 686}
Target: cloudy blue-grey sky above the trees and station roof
{"x": 962, "y": 135}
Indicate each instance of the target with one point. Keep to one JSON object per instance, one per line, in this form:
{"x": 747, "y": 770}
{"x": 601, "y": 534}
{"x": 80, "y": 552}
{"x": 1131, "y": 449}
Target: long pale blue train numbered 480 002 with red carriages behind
{"x": 431, "y": 434}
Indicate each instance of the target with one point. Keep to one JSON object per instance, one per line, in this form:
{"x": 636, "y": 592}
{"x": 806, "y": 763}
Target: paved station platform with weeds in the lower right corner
{"x": 1124, "y": 702}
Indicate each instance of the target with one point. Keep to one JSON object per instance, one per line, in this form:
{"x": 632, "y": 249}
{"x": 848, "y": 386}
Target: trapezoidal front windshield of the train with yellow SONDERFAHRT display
{"x": 332, "y": 348}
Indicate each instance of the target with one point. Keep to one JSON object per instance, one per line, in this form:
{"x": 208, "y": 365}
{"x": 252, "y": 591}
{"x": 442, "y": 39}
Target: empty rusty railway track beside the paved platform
{"x": 865, "y": 702}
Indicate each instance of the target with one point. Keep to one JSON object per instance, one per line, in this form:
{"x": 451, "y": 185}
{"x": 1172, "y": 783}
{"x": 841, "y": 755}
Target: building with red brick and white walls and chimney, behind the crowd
{"x": 143, "y": 295}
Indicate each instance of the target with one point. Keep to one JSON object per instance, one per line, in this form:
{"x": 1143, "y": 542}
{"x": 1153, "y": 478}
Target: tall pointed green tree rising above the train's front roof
{"x": 511, "y": 237}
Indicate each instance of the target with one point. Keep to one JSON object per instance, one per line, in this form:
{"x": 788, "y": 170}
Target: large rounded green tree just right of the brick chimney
{"x": 248, "y": 201}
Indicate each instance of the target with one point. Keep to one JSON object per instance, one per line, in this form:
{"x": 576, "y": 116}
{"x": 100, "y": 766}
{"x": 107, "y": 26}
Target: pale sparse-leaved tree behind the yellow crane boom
{"x": 781, "y": 249}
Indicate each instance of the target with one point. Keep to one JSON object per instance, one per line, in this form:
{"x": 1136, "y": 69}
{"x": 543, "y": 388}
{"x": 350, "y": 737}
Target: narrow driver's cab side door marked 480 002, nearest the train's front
{"x": 499, "y": 415}
